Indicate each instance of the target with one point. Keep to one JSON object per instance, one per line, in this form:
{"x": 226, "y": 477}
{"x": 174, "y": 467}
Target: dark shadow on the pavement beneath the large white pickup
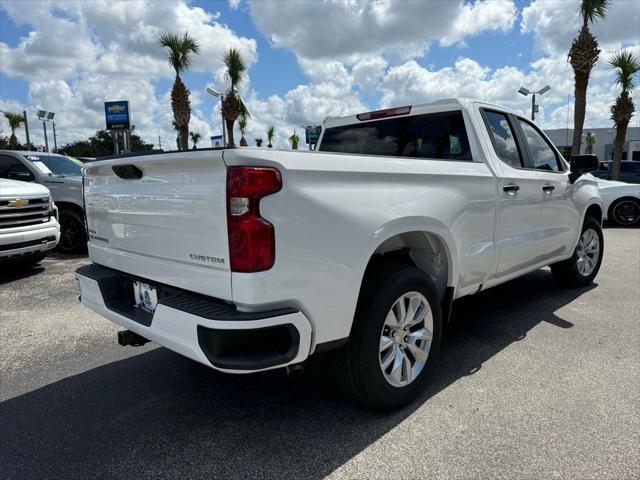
{"x": 159, "y": 415}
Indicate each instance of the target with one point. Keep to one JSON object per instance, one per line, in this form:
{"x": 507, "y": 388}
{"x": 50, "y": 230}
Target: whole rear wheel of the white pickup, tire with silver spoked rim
{"x": 360, "y": 364}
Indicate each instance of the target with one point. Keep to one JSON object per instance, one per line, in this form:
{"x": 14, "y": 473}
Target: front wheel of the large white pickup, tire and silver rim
{"x": 568, "y": 272}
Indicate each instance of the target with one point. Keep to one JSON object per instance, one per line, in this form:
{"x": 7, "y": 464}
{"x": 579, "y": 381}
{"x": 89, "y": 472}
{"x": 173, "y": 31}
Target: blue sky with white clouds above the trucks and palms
{"x": 307, "y": 59}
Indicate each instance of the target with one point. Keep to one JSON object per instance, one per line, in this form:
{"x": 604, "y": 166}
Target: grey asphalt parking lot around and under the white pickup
{"x": 533, "y": 381}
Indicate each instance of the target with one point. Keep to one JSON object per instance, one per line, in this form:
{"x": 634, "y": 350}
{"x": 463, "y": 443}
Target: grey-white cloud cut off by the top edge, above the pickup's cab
{"x": 345, "y": 29}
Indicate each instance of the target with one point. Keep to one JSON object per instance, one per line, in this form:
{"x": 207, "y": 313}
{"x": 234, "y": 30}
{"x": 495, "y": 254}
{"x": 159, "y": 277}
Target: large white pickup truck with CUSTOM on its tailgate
{"x": 249, "y": 259}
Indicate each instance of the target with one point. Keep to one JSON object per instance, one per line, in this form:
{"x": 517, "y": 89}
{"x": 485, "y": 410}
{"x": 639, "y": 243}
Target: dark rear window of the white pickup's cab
{"x": 435, "y": 135}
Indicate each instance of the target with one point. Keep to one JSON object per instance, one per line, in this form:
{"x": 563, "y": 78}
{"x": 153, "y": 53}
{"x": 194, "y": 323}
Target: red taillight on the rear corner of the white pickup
{"x": 252, "y": 244}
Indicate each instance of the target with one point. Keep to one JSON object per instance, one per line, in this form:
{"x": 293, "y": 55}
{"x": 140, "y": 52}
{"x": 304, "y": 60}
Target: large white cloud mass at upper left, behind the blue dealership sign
{"x": 80, "y": 54}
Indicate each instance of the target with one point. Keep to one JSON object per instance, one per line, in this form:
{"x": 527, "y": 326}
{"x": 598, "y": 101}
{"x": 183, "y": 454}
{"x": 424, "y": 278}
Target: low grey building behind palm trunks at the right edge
{"x": 603, "y": 148}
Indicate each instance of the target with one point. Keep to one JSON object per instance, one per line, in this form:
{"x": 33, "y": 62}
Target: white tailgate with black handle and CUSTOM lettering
{"x": 168, "y": 225}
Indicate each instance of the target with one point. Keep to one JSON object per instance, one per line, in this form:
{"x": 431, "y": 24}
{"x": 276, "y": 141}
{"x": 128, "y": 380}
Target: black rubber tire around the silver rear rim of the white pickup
{"x": 358, "y": 367}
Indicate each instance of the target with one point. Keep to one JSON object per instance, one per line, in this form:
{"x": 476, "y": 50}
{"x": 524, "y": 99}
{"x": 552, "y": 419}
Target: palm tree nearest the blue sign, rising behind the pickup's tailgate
{"x": 181, "y": 51}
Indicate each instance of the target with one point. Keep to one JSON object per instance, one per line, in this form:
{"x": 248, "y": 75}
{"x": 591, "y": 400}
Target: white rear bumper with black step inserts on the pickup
{"x": 204, "y": 329}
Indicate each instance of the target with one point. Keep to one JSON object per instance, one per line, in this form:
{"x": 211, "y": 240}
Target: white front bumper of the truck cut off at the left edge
{"x": 24, "y": 241}
